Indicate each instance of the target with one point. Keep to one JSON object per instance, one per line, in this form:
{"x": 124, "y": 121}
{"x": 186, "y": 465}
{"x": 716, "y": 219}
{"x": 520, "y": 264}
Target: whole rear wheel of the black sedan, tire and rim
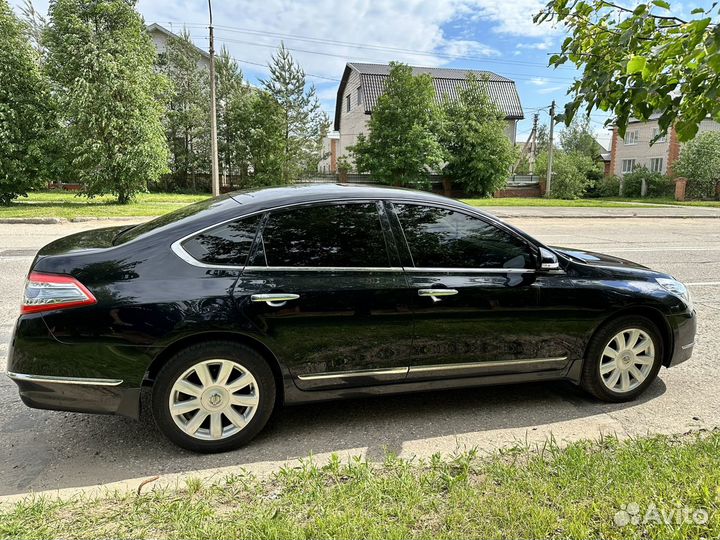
{"x": 228, "y": 382}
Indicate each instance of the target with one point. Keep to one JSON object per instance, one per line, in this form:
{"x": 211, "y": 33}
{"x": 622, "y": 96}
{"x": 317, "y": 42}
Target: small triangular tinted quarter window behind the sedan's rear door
{"x": 227, "y": 244}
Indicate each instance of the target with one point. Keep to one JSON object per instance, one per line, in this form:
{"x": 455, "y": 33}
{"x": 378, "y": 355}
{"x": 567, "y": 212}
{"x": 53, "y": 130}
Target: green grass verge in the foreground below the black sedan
{"x": 546, "y": 492}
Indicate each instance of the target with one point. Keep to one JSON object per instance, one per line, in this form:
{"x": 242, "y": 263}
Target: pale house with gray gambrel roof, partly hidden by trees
{"x": 362, "y": 84}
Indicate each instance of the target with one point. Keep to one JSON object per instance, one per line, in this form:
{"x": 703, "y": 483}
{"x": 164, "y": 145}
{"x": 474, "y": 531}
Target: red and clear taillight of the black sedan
{"x": 46, "y": 292}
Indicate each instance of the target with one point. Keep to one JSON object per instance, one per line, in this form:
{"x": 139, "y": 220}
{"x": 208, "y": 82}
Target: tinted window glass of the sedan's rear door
{"x": 338, "y": 235}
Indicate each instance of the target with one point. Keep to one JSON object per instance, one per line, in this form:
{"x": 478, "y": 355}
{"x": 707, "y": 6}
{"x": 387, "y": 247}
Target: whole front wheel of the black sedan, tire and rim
{"x": 598, "y": 376}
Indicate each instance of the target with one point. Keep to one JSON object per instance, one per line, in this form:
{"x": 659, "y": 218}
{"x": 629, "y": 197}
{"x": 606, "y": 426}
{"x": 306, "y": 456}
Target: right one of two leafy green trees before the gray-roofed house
{"x": 479, "y": 153}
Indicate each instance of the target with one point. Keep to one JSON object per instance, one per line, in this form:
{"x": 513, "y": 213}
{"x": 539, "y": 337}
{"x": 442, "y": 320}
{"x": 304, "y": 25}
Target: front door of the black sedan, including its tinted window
{"x": 474, "y": 295}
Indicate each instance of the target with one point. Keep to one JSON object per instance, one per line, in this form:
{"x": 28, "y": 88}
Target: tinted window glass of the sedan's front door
{"x": 440, "y": 238}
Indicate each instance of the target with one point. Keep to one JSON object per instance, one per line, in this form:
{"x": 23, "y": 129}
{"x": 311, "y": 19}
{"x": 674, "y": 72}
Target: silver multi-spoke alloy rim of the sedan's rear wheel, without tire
{"x": 214, "y": 399}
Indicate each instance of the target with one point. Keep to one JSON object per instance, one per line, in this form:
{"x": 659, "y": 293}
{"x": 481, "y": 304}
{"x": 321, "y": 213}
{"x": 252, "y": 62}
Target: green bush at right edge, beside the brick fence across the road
{"x": 699, "y": 162}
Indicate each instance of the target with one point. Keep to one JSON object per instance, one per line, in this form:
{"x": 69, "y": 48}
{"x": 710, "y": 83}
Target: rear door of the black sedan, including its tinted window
{"x": 325, "y": 289}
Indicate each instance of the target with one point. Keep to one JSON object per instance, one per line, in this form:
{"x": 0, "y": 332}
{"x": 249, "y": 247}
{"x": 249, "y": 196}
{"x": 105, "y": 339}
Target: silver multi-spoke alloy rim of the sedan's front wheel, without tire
{"x": 627, "y": 360}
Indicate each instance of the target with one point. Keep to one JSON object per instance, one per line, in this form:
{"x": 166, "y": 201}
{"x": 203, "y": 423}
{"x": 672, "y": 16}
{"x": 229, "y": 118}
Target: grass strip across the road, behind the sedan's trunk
{"x": 59, "y": 204}
